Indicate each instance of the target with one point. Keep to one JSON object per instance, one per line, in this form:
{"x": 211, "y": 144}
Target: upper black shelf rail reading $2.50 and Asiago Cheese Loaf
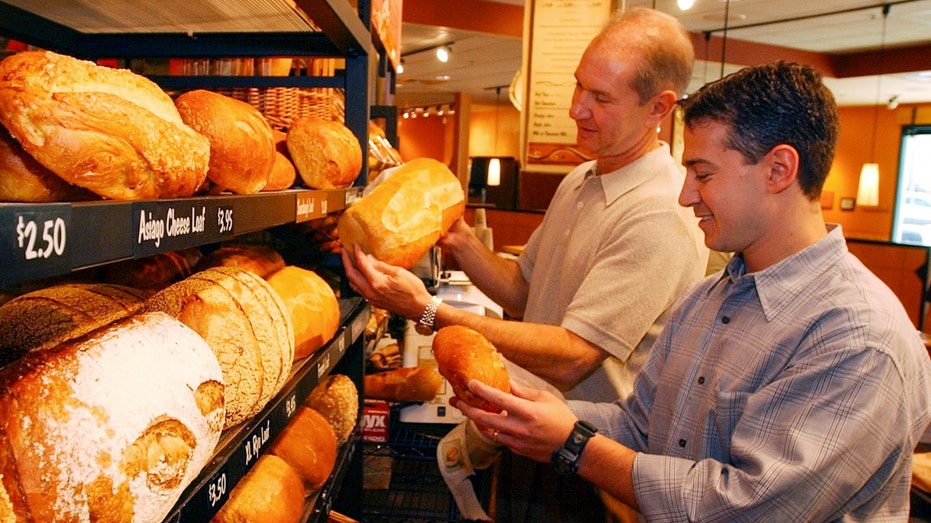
{"x": 44, "y": 240}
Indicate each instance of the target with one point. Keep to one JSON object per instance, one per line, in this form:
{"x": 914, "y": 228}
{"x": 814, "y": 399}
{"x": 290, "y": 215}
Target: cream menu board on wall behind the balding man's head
{"x": 560, "y": 30}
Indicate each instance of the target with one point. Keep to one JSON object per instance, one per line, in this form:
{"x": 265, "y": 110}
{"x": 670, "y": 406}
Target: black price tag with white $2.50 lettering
{"x": 34, "y": 239}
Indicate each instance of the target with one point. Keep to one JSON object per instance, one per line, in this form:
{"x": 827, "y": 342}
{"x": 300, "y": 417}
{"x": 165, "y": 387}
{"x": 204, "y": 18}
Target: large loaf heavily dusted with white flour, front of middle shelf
{"x": 110, "y": 427}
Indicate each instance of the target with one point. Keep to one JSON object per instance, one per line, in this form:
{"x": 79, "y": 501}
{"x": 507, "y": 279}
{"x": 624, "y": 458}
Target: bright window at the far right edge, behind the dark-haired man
{"x": 912, "y": 218}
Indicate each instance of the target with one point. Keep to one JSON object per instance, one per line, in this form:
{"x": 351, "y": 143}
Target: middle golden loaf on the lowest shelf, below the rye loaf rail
{"x": 308, "y": 444}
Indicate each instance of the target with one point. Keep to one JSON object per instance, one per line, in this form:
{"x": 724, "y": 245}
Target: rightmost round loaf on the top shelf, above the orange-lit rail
{"x": 325, "y": 152}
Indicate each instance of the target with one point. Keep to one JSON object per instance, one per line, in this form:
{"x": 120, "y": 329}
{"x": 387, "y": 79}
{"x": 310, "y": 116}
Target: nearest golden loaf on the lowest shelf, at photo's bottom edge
{"x": 271, "y": 492}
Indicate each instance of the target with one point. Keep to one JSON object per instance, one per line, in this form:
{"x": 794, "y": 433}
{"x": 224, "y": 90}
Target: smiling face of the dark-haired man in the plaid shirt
{"x": 726, "y": 194}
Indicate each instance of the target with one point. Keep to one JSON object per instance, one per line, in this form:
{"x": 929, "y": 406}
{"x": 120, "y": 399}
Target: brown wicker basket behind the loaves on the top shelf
{"x": 283, "y": 105}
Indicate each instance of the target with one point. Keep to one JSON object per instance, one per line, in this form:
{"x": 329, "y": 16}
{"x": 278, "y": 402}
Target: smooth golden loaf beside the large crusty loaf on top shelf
{"x": 242, "y": 150}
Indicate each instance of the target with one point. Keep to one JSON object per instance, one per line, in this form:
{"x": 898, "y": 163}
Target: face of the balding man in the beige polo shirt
{"x": 608, "y": 115}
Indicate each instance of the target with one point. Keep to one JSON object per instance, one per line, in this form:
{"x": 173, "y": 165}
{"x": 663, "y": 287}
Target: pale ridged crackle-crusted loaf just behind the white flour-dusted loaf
{"x": 246, "y": 325}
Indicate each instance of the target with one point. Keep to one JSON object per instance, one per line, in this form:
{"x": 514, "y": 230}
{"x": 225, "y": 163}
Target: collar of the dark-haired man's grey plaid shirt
{"x": 777, "y": 285}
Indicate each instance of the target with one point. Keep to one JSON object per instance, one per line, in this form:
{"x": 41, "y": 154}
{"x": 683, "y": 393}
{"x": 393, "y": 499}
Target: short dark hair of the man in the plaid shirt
{"x": 769, "y": 105}
